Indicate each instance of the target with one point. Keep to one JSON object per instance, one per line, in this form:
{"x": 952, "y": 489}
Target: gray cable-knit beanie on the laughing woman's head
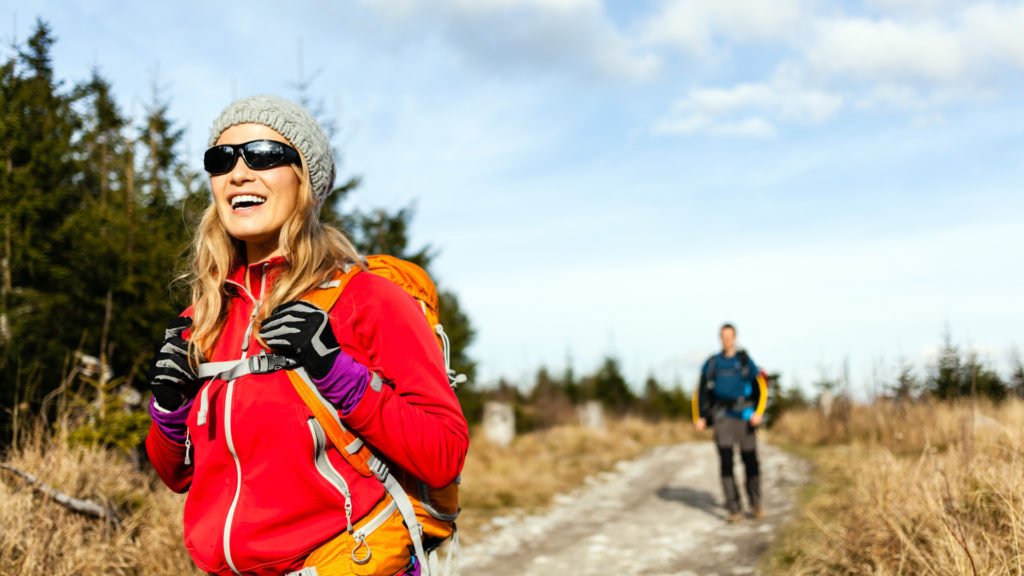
{"x": 293, "y": 122}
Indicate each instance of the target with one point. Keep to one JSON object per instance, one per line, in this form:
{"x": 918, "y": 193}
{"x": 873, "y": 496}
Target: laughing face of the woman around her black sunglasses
{"x": 259, "y": 225}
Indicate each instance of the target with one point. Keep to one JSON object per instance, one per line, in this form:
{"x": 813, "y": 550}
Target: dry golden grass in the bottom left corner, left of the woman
{"x": 38, "y": 537}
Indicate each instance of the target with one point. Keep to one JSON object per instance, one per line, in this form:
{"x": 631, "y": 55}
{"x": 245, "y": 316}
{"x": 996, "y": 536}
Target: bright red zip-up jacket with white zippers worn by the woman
{"x": 266, "y": 508}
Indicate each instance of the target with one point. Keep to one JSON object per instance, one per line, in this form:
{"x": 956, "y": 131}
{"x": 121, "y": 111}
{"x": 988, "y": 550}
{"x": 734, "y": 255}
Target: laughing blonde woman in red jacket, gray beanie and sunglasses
{"x": 265, "y": 497}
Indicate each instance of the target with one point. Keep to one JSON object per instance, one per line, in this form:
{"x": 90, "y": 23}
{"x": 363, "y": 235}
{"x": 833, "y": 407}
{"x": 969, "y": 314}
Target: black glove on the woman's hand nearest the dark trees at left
{"x": 172, "y": 377}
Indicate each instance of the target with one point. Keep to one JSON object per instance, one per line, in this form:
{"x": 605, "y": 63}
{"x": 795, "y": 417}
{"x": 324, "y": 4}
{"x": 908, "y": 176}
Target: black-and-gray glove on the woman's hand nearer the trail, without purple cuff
{"x": 303, "y": 332}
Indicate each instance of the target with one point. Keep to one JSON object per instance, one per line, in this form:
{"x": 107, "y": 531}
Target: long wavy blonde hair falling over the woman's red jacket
{"x": 313, "y": 252}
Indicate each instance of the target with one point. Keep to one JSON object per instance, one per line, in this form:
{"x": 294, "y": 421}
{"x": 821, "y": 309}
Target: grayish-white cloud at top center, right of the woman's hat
{"x": 528, "y": 34}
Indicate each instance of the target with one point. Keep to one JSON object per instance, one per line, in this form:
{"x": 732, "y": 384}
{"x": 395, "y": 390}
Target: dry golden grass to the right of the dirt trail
{"x": 926, "y": 489}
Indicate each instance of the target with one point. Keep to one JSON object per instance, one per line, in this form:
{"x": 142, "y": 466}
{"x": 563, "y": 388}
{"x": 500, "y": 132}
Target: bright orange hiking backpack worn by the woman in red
{"x": 430, "y": 515}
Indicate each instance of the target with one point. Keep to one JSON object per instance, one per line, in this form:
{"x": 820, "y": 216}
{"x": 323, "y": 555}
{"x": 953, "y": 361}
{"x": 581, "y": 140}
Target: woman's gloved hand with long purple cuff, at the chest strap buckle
{"x": 303, "y": 332}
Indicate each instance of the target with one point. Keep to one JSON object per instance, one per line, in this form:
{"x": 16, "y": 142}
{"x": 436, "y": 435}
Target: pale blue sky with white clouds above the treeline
{"x": 842, "y": 181}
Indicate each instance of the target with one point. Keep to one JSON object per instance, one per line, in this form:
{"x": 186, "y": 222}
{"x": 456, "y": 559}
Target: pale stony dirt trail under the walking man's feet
{"x": 658, "y": 515}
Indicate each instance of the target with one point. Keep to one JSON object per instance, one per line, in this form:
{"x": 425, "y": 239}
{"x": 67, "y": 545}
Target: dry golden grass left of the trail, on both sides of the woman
{"x": 38, "y": 537}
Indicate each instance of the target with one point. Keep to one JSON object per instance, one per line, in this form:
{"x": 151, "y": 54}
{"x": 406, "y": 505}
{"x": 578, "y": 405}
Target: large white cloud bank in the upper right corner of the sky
{"x": 919, "y": 57}
